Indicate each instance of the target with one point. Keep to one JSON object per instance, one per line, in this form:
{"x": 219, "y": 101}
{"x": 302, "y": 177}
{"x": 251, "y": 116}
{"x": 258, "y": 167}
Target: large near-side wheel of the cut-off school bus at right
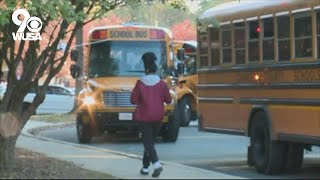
{"x": 268, "y": 156}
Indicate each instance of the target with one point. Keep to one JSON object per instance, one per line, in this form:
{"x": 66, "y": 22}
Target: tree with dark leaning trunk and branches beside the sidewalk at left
{"x": 60, "y": 21}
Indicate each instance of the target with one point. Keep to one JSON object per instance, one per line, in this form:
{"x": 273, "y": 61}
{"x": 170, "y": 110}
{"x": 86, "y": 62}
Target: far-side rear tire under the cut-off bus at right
{"x": 294, "y": 157}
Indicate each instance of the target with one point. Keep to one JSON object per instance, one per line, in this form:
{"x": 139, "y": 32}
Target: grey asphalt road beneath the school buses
{"x": 217, "y": 152}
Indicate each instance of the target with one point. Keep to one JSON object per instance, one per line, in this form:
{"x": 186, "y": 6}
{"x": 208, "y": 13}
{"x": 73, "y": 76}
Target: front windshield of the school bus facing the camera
{"x": 123, "y": 58}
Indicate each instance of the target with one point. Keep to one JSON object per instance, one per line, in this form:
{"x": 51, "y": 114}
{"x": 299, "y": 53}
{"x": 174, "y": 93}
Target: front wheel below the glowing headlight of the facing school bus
{"x": 83, "y": 128}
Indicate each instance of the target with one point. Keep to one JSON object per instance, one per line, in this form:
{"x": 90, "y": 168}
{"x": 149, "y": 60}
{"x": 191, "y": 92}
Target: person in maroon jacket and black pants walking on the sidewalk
{"x": 150, "y": 94}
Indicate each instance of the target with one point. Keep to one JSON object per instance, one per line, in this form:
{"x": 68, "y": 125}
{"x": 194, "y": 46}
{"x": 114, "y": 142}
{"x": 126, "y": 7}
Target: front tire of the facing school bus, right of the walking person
{"x": 172, "y": 132}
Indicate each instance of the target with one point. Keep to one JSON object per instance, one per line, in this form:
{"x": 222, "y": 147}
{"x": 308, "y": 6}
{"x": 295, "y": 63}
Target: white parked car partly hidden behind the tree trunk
{"x": 58, "y": 100}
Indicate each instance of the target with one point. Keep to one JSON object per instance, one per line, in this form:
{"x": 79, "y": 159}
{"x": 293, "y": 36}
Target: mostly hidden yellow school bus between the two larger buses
{"x": 186, "y": 89}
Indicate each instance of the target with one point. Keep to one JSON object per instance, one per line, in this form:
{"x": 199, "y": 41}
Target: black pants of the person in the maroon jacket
{"x": 149, "y": 133}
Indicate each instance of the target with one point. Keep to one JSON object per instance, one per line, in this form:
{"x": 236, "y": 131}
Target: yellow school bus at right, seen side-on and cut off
{"x": 259, "y": 76}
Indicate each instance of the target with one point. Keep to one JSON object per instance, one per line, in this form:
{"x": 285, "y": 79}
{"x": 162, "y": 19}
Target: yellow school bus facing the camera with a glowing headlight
{"x": 113, "y": 66}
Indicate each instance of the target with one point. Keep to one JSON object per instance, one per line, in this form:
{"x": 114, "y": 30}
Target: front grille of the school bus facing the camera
{"x": 117, "y": 99}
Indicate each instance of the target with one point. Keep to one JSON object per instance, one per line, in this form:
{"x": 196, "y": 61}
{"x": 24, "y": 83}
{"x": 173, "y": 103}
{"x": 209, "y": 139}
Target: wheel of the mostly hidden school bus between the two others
{"x": 185, "y": 111}
